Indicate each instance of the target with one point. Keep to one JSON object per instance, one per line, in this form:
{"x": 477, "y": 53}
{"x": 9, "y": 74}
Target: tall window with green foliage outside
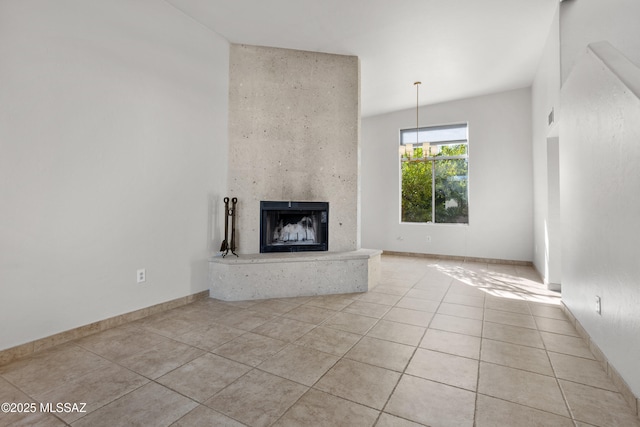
{"x": 434, "y": 167}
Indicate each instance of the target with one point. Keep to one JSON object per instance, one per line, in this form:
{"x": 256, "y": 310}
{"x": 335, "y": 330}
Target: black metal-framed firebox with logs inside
{"x": 294, "y": 226}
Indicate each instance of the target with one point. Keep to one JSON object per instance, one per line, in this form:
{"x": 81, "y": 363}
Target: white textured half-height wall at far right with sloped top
{"x": 600, "y": 190}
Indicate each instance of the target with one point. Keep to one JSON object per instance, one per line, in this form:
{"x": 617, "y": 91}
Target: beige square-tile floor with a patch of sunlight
{"x": 436, "y": 343}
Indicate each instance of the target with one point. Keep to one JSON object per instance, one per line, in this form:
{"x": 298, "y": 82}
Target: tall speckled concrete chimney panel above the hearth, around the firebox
{"x": 294, "y": 135}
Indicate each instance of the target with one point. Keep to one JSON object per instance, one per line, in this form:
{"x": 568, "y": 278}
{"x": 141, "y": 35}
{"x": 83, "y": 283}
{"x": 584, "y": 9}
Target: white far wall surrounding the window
{"x": 500, "y": 180}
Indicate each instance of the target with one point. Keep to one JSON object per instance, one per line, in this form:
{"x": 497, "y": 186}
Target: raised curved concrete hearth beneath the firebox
{"x": 281, "y": 275}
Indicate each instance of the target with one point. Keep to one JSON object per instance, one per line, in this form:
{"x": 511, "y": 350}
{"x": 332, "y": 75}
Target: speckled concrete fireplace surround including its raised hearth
{"x": 294, "y": 135}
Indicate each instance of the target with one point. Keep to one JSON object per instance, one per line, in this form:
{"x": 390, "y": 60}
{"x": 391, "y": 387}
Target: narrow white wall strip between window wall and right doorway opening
{"x": 545, "y": 97}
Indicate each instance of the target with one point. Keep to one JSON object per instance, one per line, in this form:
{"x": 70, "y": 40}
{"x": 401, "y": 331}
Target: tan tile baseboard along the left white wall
{"x": 24, "y": 350}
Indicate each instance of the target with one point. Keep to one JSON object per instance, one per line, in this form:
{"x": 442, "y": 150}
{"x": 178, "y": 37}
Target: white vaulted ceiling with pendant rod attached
{"x": 456, "y": 48}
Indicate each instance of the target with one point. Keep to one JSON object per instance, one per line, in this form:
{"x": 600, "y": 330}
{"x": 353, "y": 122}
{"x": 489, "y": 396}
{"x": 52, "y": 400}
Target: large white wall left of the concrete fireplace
{"x": 113, "y": 138}
